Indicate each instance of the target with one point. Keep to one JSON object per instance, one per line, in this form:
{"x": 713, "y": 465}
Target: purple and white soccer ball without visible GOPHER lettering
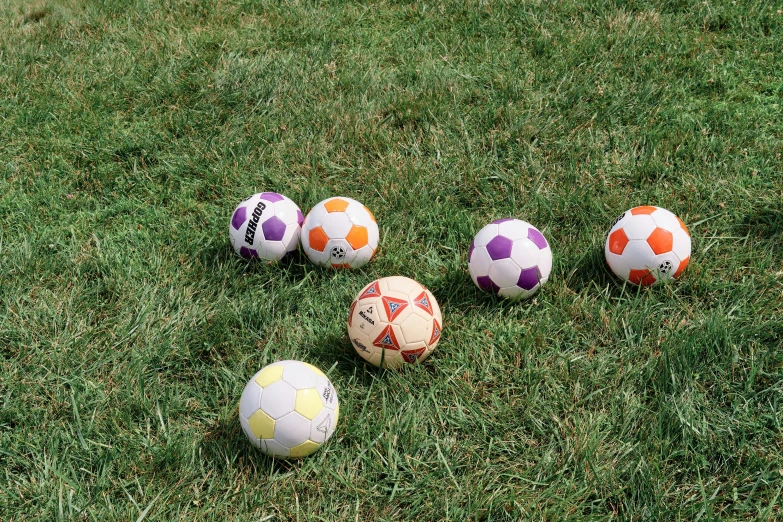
{"x": 511, "y": 258}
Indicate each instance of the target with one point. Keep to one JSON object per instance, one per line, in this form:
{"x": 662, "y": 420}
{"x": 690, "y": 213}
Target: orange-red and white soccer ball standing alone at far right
{"x": 648, "y": 244}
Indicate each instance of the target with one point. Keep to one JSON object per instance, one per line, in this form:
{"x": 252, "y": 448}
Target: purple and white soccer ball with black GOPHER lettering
{"x": 265, "y": 225}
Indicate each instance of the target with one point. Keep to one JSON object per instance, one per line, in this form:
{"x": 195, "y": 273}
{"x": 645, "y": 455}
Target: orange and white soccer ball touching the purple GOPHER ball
{"x": 339, "y": 232}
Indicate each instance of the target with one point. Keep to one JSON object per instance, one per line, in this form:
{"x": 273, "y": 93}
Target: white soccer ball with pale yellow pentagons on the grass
{"x": 289, "y": 409}
